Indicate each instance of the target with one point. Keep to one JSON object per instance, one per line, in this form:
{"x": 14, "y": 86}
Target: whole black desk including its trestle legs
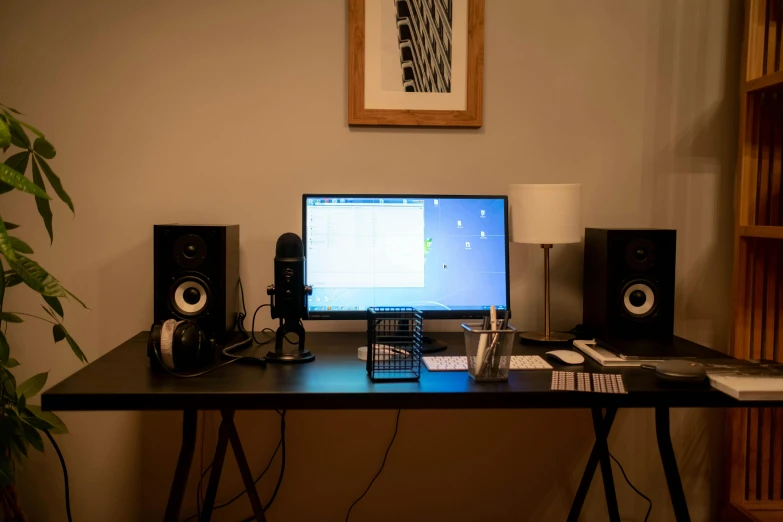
{"x": 122, "y": 380}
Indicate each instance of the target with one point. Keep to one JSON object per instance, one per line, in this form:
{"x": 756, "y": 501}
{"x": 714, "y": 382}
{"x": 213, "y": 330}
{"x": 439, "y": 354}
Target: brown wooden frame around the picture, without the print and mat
{"x": 471, "y": 116}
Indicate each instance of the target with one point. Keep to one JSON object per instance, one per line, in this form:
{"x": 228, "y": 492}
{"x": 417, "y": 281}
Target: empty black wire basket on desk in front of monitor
{"x": 394, "y": 344}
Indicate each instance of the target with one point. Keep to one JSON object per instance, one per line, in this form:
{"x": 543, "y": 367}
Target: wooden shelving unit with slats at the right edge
{"x": 755, "y": 435}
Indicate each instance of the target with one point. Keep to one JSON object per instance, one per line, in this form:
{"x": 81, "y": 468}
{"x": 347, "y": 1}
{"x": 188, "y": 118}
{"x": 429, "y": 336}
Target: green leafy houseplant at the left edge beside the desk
{"x": 22, "y": 424}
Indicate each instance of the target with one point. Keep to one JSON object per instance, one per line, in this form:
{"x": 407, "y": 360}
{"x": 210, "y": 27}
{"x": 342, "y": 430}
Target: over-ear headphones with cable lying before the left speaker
{"x": 181, "y": 345}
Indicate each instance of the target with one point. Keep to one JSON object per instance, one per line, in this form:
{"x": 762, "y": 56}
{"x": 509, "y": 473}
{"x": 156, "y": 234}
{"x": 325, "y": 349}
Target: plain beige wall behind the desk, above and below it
{"x": 227, "y": 111}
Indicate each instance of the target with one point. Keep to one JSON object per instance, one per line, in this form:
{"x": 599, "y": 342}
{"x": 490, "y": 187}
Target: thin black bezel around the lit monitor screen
{"x": 426, "y": 314}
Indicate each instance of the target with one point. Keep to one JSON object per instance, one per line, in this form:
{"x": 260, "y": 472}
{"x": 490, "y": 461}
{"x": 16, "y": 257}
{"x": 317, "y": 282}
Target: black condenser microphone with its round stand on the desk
{"x": 289, "y": 299}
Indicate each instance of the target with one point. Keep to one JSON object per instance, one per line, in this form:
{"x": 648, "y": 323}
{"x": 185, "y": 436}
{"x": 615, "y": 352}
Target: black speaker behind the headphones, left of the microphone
{"x": 197, "y": 275}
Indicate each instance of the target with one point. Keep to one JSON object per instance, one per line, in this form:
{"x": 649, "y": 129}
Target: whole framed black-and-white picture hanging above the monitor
{"x": 416, "y": 62}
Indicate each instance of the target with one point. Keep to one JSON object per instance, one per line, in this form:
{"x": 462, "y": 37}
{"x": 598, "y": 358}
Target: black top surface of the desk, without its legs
{"x": 122, "y": 380}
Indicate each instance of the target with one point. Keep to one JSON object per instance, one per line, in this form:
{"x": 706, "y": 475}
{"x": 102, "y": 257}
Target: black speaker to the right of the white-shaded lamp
{"x": 629, "y": 283}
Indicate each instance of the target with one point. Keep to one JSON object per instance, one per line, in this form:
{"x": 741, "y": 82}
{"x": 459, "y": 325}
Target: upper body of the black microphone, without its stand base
{"x": 290, "y": 293}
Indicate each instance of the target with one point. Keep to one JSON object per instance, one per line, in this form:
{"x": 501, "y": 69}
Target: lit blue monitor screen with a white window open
{"x": 444, "y": 255}
